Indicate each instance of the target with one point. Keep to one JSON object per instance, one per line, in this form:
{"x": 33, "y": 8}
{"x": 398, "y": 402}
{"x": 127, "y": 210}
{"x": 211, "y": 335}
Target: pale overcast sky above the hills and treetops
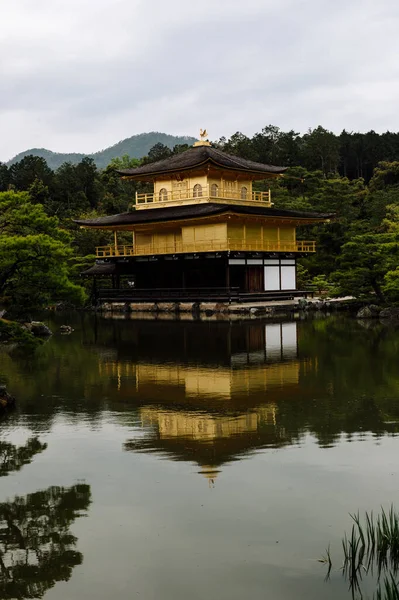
{"x": 80, "y": 75}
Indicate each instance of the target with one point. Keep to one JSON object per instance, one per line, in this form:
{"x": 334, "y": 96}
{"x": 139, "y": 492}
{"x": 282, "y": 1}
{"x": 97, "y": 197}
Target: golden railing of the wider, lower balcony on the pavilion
{"x": 205, "y": 246}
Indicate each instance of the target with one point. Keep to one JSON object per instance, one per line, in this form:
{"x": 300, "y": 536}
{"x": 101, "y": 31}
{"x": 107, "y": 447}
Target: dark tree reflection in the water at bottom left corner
{"x": 37, "y": 548}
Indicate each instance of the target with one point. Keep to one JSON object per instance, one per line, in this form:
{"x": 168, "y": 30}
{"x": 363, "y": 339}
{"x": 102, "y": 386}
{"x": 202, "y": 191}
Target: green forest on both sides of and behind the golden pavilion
{"x": 354, "y": 175}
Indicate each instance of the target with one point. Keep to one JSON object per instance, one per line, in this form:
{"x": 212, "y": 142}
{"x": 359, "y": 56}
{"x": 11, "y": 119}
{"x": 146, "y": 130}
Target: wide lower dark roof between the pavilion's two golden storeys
{"x": 193, "y": 211}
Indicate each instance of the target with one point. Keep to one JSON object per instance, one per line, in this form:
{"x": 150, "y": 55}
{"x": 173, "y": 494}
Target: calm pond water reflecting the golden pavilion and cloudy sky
{"x": 173, "y": 460}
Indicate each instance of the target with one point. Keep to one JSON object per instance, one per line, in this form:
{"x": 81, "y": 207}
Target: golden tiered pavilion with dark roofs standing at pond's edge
{"x": 202, "y": 228}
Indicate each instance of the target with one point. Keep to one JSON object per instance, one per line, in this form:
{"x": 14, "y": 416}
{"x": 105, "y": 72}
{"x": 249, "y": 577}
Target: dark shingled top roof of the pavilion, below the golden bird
{"x": 198, "y": 156}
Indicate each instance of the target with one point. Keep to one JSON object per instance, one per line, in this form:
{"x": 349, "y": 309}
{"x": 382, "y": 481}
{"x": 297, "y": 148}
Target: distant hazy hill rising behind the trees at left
{"x": 136, "y": 146}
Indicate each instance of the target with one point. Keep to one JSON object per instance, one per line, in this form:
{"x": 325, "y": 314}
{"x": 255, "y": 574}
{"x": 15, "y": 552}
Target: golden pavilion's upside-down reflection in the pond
{"x": 213, "y": 407}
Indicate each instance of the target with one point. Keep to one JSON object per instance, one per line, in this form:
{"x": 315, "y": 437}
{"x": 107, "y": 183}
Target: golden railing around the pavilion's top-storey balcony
{"x": 207, "y": 193}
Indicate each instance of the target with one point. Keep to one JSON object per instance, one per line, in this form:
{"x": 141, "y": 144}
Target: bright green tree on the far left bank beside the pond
{"x": 34, "y": 254}
